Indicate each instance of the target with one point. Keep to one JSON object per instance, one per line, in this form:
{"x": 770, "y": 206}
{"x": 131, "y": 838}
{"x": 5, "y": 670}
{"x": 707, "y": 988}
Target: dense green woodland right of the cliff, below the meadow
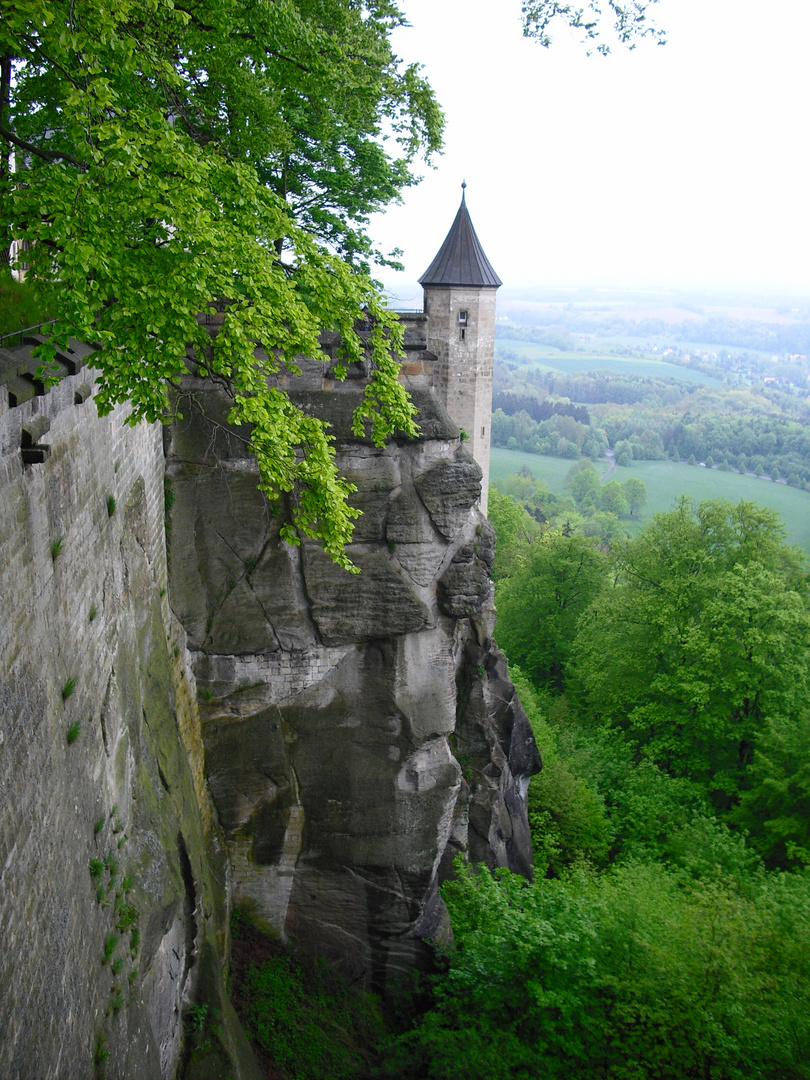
{"x": 668, "y": 930}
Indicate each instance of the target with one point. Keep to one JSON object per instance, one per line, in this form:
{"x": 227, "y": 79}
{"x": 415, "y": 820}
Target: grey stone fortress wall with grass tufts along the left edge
{"x": 100, "y": 750}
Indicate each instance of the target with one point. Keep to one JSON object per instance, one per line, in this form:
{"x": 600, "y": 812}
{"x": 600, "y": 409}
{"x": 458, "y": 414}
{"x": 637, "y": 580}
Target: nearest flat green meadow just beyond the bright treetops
{"x": 667, "y": 480}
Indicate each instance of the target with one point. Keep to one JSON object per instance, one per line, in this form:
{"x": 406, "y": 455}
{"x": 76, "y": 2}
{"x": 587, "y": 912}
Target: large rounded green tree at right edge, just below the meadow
{"x": 706, "y": 633}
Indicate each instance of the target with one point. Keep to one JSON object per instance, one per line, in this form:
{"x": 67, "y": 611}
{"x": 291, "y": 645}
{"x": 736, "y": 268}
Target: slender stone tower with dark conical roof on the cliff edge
{"x": 460, "y": 301}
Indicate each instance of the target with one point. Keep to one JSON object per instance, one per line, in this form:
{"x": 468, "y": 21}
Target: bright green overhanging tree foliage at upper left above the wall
{"x": 164, "y": 154}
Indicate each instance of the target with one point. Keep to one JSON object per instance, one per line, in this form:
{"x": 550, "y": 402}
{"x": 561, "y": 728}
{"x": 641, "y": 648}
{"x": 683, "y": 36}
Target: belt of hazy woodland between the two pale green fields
{"x": 754, "y": 429}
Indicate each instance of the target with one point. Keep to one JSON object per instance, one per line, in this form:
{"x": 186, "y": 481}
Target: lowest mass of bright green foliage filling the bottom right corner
{"x": 642, "y": 973}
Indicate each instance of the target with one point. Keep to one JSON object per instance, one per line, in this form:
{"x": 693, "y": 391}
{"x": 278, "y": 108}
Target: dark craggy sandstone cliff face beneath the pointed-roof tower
{"x": 359, "y": 731}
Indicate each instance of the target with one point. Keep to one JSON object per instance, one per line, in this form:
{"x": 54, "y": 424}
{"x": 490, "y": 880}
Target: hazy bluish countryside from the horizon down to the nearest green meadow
{"x": 751, "y": 415}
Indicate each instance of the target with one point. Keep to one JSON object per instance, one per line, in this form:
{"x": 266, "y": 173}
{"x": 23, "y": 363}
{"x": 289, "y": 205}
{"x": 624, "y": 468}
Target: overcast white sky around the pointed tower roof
{"x": 681, "y": 165}
